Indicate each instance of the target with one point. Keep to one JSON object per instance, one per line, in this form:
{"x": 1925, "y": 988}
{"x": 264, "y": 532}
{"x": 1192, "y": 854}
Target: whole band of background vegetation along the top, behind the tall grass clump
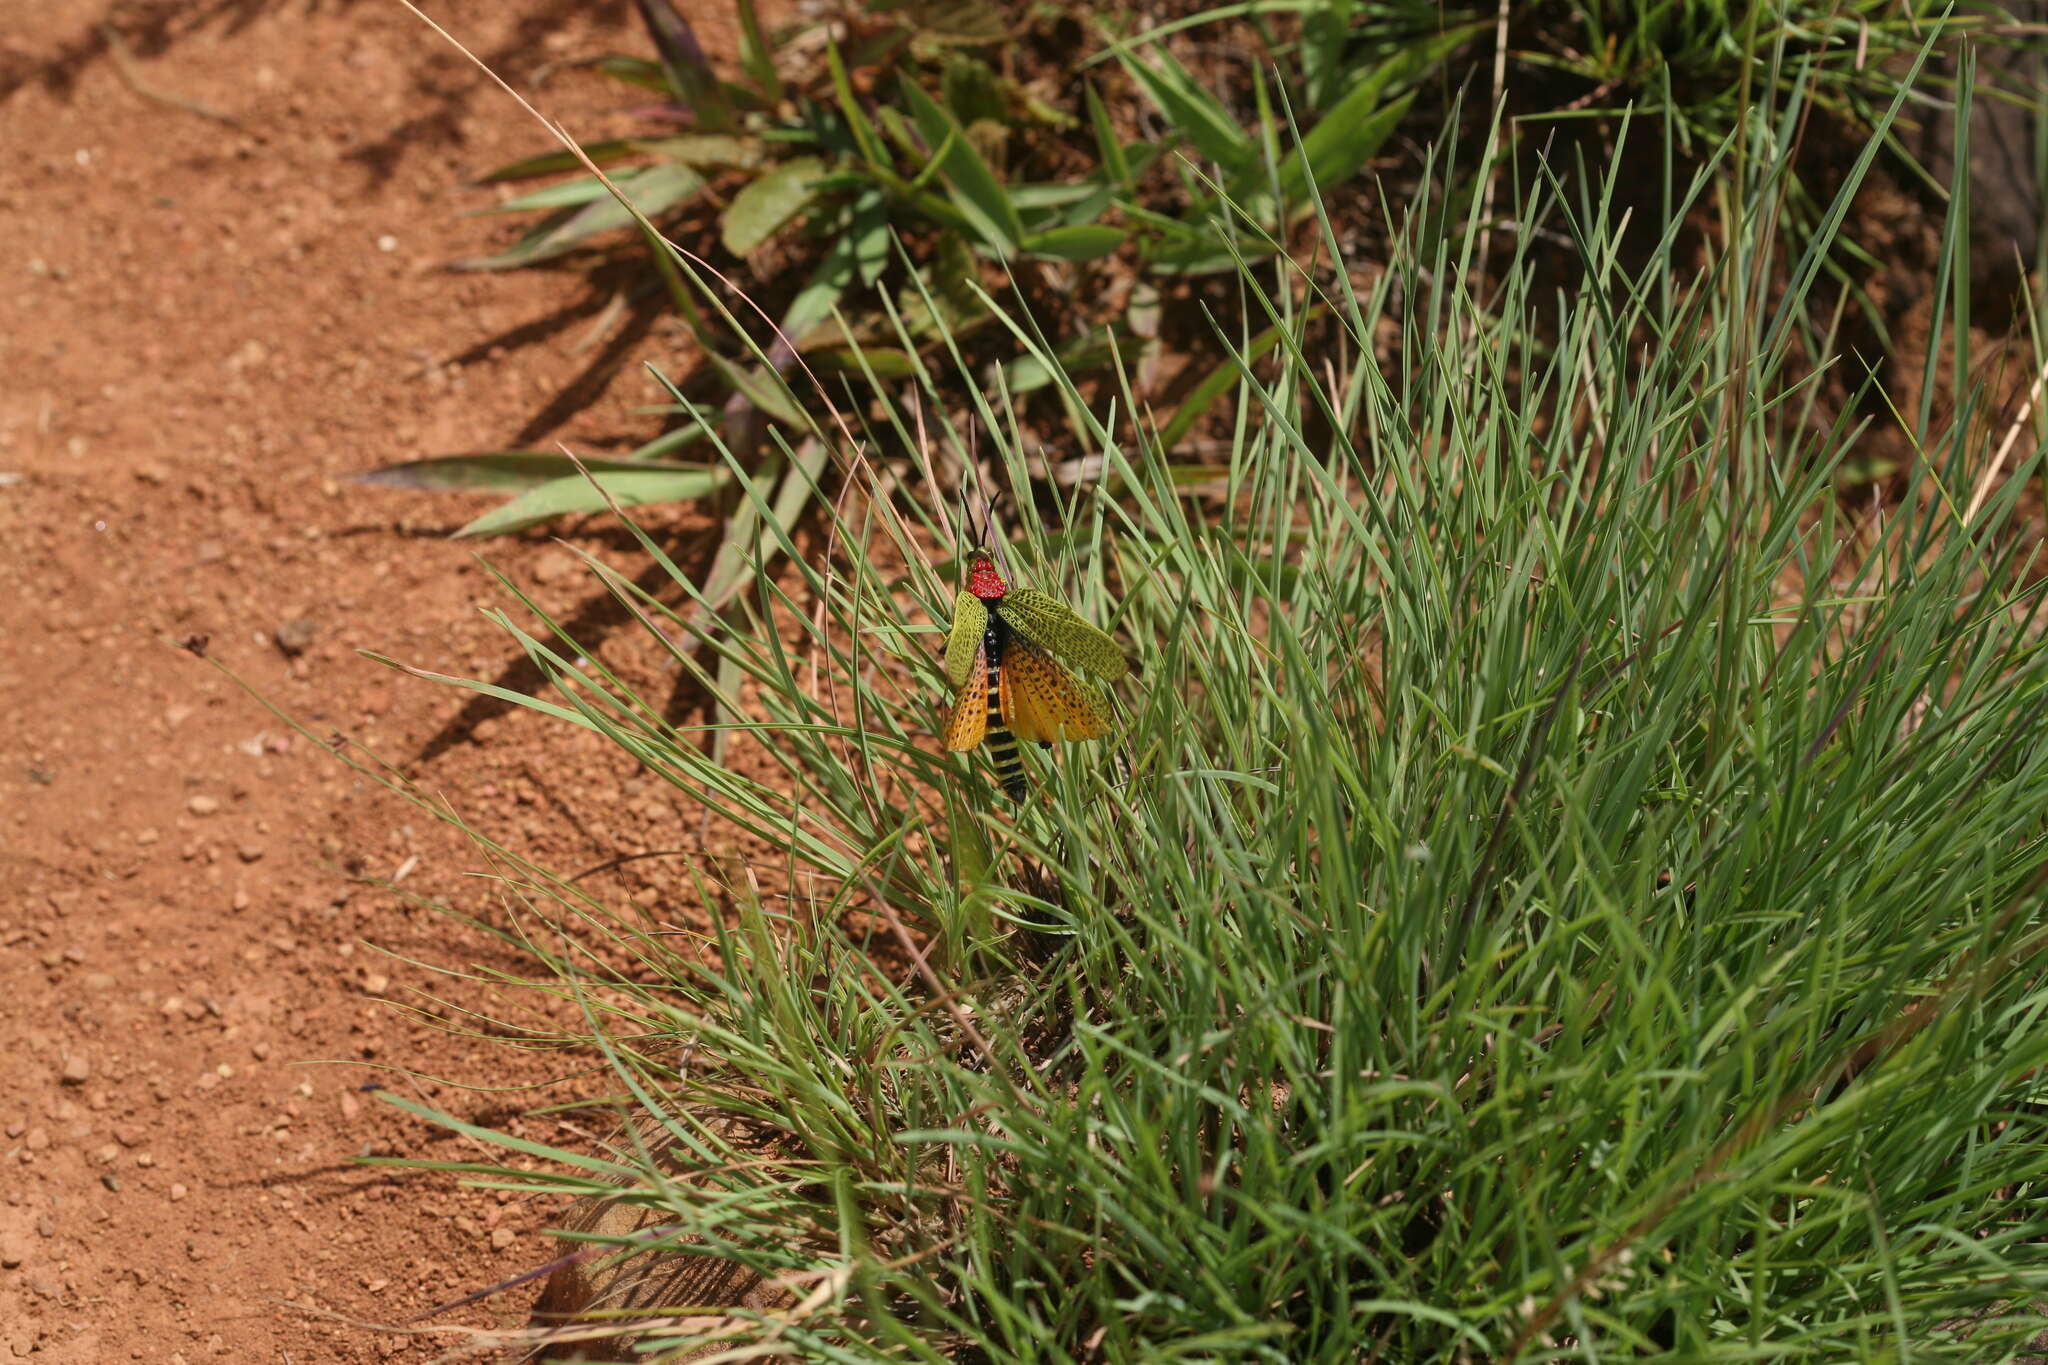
{"x": 884, "y": 169}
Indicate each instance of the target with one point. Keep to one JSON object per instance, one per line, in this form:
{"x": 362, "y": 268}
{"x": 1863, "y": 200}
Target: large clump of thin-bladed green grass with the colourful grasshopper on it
{"x": 1570, "y": 889}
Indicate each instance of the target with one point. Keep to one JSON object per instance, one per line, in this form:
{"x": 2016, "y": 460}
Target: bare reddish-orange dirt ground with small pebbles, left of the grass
{"x": 222, "y": 245}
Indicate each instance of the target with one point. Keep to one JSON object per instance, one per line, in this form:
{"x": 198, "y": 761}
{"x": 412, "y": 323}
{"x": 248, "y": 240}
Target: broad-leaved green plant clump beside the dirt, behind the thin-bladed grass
{"x": 894, "y": 173}
